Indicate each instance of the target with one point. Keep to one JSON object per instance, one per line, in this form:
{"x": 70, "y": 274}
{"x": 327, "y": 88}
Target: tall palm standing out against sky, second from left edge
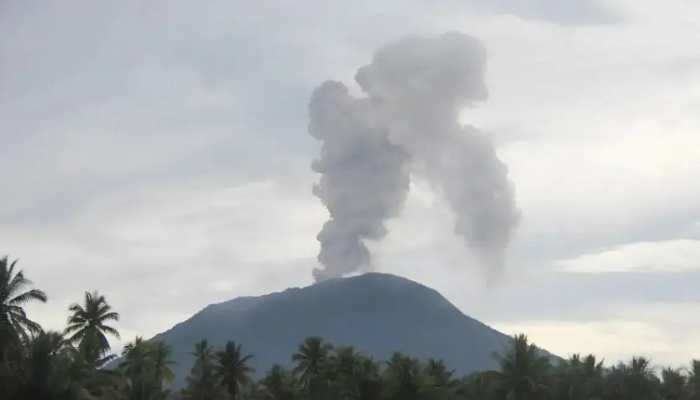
{"x": 88, "y": 329}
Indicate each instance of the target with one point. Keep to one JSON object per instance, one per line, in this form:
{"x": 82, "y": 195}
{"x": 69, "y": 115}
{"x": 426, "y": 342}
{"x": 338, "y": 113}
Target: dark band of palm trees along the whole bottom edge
{"x": 70, "y": 365}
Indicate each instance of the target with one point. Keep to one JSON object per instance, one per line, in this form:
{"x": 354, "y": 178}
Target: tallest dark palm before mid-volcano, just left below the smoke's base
{"x": 310, "y": 359}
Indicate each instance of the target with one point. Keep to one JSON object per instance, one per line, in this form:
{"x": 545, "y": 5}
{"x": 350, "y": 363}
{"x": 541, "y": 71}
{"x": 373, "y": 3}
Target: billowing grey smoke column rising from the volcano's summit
{"x": 408, "y": 123}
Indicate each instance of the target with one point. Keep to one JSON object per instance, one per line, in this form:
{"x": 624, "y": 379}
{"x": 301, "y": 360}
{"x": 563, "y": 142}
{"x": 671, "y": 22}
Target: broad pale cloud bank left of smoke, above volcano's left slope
{"x": 169, "y": 251}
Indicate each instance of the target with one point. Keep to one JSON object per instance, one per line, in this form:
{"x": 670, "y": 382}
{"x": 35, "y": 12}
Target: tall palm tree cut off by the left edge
{"x": 14, "y": 324}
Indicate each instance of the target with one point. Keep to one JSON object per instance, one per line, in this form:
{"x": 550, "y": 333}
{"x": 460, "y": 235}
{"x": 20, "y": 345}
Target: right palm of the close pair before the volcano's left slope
{"x": 232, "y": 369}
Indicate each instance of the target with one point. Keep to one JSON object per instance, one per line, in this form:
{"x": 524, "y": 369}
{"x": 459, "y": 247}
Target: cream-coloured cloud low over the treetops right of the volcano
{"x": 659, "y": 330}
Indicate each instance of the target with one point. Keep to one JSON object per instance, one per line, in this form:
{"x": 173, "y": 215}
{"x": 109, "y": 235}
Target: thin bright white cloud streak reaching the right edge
{"x": 661, "y": 257}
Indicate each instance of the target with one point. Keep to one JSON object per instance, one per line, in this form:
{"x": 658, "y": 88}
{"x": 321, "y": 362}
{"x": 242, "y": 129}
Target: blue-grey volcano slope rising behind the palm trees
{"x": 376, "y": 313}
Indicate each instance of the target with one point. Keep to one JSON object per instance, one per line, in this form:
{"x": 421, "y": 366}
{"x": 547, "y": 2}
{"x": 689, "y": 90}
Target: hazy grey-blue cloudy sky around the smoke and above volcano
{"x": 157, "y": 151}
